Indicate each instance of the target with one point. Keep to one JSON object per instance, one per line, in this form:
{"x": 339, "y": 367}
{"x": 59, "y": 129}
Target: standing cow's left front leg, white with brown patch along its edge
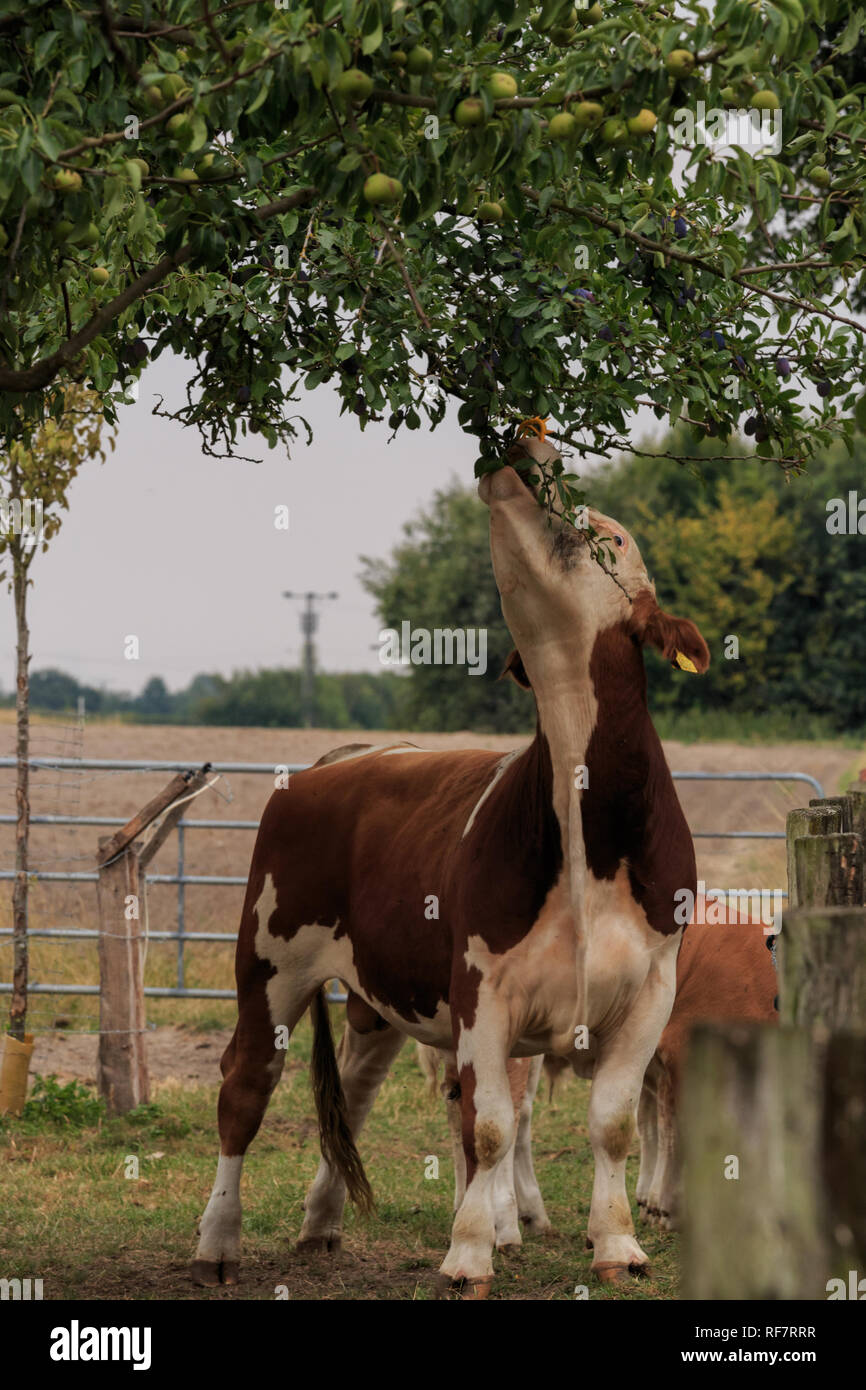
{"x": 489, "y": 1132}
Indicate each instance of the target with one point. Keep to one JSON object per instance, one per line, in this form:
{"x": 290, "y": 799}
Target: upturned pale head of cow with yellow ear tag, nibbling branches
{"x": 557, "y": 598}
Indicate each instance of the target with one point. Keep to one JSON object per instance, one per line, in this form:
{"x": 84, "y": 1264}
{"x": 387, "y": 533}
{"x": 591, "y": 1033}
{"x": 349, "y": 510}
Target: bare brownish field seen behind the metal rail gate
{"x": 708, "y": 807}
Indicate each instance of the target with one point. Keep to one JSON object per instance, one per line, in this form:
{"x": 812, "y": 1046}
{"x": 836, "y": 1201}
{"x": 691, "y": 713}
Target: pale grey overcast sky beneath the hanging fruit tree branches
{"x": 181, "y": 551}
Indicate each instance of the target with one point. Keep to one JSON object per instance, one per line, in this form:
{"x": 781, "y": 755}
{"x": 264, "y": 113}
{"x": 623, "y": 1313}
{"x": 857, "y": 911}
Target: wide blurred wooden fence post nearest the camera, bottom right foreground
{"x": 750, "y": 1122}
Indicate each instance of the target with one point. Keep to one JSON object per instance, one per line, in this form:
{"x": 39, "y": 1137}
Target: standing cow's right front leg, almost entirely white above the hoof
{"x": 616, "y": 1089}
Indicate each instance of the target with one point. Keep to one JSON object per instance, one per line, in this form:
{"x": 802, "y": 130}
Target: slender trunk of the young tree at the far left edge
{"x": 23, "y": 794}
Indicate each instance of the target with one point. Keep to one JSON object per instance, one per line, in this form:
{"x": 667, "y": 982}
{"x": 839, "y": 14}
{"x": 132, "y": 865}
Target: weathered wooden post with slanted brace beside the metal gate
{"x": 123, "y": 915}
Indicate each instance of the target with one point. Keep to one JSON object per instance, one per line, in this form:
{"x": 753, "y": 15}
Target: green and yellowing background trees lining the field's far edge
{"x": 736, "y": 547}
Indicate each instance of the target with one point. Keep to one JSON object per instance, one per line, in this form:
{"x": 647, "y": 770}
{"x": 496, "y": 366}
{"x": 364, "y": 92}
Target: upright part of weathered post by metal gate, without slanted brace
{"x": 123, "y": 1060}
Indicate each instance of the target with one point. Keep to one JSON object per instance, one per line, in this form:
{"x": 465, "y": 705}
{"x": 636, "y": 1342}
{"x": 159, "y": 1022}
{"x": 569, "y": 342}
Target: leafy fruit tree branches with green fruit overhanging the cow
{"x": 437, "y": 199}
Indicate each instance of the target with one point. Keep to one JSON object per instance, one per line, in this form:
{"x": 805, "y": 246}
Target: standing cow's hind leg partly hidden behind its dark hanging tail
{"x": 365, "y": 1061}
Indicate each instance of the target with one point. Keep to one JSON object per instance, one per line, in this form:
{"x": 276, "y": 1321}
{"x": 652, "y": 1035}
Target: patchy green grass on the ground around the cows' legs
{"x": 73, "y": 1218}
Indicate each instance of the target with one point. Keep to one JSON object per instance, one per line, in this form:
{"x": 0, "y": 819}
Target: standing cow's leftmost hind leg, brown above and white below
{"x": 252, "y": 1065}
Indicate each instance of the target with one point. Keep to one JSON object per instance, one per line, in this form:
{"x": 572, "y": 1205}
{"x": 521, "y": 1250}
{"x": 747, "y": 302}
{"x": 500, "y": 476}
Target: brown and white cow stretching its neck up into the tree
{"x": 554, "y": 872}
